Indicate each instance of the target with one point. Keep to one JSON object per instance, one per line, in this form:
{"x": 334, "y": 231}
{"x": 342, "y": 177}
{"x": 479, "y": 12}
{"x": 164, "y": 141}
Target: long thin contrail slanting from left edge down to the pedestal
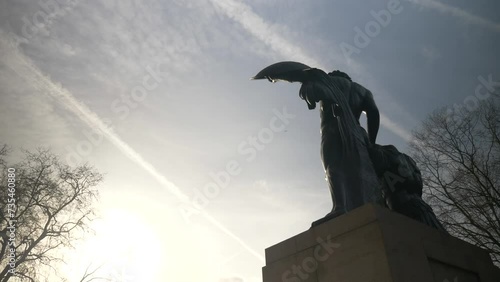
{"x": 24, "y": 67}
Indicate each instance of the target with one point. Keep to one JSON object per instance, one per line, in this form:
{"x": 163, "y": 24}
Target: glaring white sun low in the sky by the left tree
{"x": 124, "y": 243}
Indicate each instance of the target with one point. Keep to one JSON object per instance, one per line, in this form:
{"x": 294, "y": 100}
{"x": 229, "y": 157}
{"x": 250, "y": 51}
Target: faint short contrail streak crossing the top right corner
{"x": 459, "y": 13}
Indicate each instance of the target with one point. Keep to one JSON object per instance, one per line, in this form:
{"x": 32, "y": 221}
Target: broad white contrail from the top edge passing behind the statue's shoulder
{"x": 262, "y": 30}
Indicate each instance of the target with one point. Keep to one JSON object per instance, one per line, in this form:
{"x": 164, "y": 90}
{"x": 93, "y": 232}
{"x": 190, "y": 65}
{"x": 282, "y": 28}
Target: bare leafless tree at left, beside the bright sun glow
{"x": 46, "y": 208}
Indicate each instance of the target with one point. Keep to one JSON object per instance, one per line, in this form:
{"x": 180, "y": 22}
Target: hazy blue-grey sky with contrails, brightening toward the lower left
{"x": 204, "y": 168}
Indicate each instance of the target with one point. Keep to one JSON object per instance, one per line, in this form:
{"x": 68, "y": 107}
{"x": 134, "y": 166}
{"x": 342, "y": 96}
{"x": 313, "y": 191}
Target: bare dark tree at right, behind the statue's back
{"x": 458, "y": 153}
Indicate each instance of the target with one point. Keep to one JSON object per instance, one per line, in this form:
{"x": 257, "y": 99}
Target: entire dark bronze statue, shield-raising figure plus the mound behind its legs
{"x": 348, "y": 152}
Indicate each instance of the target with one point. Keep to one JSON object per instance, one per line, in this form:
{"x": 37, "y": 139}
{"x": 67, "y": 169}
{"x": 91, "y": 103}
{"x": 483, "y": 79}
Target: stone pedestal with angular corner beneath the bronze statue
{"x": 373, "y": 244}
